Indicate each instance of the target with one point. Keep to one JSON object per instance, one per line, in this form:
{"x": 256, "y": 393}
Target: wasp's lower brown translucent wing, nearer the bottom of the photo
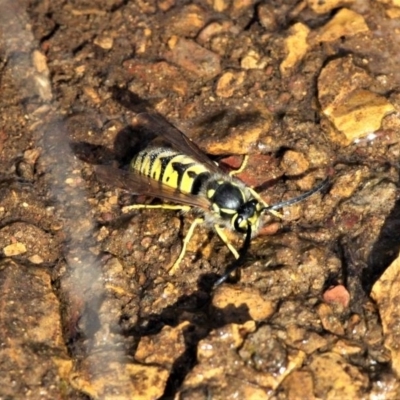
{"x": 143, "y": 185}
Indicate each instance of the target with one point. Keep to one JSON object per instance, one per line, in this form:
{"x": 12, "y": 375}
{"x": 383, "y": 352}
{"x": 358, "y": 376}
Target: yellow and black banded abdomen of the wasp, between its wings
{"x": 171, "y": 168}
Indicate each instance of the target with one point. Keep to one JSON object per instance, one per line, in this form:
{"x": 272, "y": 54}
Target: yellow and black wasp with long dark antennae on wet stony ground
{"x": 187, "y": 177}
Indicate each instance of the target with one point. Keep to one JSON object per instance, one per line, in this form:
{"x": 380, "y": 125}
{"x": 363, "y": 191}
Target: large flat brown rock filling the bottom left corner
{"x": 31, "y": 333}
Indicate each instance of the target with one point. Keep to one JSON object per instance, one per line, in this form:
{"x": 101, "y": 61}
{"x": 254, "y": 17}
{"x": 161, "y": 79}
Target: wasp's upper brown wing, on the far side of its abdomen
{"x": 161, "y": 127}
